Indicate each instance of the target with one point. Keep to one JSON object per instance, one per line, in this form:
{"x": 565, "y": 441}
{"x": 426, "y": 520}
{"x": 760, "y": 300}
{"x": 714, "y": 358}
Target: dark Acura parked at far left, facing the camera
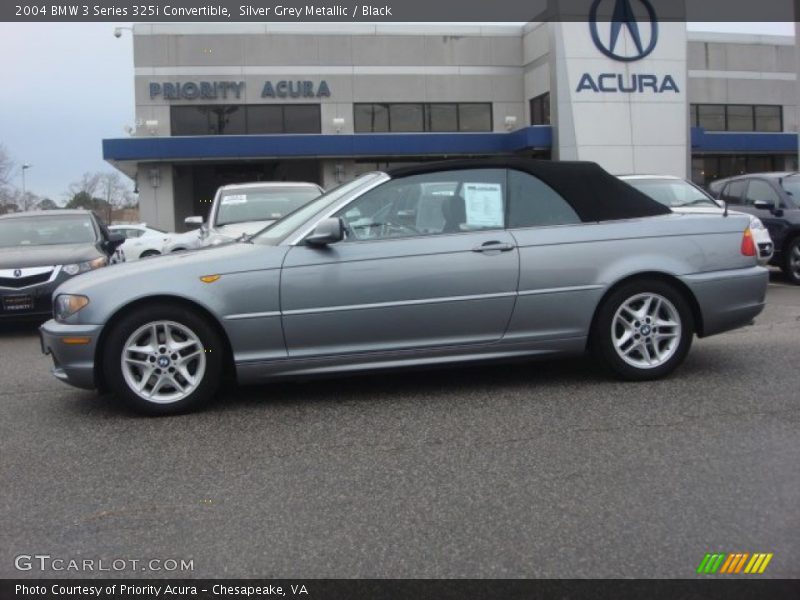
{"x": 40, "y": 250}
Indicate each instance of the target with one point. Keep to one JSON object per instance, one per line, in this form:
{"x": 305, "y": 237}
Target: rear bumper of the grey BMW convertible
{"x": 728, "y": 299}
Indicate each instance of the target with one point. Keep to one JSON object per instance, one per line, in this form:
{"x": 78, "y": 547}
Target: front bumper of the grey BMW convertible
{"x": 72, "y": 363}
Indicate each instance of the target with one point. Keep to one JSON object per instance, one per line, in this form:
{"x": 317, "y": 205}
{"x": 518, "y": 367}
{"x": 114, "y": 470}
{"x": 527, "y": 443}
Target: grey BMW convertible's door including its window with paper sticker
{"x": 426, "y": 263}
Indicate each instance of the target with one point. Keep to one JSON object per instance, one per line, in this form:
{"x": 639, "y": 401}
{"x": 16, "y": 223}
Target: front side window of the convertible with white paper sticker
{"x": 429, "y": 204}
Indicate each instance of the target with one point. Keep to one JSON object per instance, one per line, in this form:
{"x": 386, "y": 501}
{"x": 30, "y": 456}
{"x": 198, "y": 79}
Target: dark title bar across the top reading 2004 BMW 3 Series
{"x": 388, "y": 11}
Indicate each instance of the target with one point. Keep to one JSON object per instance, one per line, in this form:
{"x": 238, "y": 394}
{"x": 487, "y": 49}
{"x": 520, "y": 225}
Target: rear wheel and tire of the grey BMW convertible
{"x": 632, "y": 347}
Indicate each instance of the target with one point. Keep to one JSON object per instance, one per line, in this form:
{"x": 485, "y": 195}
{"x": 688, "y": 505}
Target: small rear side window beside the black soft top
{"x": 533, "y": 203}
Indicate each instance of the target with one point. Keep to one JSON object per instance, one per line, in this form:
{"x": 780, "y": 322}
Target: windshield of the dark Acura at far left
{"x": 46, "y": 231}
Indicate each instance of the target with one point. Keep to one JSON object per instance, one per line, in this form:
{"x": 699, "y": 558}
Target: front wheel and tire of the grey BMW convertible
{"x": 182, "y": 370}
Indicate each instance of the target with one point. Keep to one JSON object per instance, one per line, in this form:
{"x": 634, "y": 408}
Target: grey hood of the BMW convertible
{"x": 164, "y": 274}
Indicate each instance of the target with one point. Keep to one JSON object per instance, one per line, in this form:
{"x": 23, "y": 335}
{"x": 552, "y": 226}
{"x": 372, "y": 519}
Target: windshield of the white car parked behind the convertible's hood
{"x": 262, "y": 204}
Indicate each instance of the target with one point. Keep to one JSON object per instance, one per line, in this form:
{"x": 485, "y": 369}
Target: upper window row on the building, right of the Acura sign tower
{"x": 737, "y": 117}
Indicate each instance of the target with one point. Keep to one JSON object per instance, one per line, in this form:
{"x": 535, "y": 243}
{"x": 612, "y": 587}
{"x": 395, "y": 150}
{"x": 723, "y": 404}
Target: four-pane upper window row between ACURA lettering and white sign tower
{"x": 415, "y": 116}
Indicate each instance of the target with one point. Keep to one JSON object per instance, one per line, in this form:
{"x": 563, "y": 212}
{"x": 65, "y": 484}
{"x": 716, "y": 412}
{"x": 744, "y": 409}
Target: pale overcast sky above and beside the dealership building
{"x": 66, "y": 87}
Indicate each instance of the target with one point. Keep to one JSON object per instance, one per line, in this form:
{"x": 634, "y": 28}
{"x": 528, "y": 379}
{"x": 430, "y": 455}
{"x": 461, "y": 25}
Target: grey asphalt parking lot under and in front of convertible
{"x": 535, "y": 470}
